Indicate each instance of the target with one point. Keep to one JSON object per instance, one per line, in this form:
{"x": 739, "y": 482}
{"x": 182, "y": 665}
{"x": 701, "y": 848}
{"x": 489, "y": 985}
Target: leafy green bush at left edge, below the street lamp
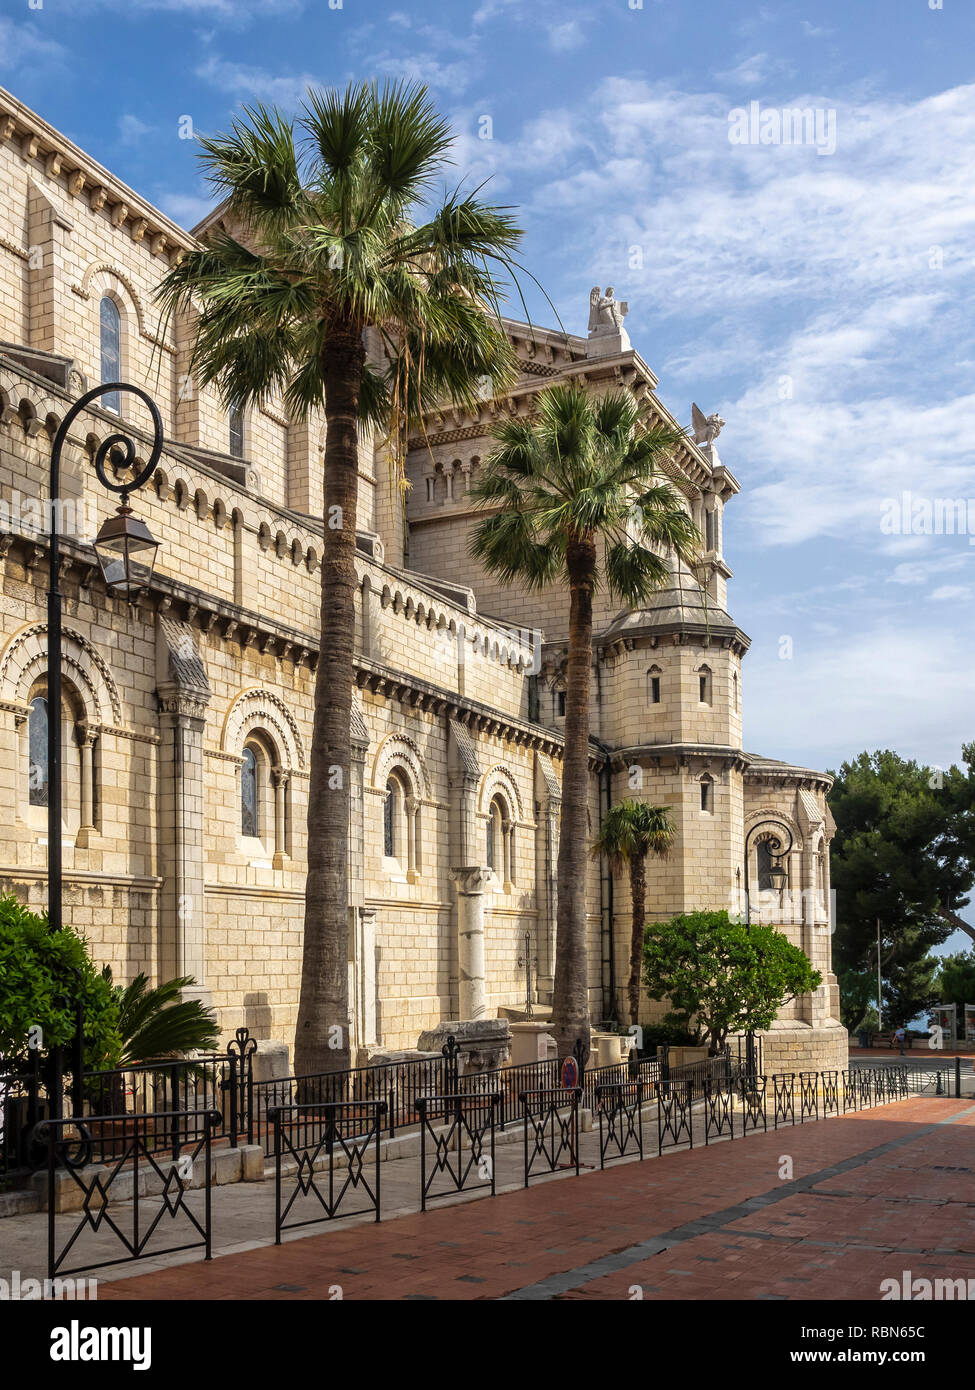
{"x": 44, "y": 975}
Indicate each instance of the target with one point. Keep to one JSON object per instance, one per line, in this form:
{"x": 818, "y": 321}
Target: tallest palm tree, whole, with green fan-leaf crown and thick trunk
{"x": 339, "y": 243}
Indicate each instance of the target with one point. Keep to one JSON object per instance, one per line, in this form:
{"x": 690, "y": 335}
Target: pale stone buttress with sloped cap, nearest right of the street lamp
{"x": 184, "y": 694}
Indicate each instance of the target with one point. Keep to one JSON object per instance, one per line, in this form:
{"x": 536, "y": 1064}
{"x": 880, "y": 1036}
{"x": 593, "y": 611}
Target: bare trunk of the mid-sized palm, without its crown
{"x": 571, "y": 1014}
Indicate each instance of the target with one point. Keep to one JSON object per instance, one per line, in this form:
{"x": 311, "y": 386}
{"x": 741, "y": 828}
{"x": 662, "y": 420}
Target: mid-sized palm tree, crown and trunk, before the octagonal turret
{"x": 579, "y": 501}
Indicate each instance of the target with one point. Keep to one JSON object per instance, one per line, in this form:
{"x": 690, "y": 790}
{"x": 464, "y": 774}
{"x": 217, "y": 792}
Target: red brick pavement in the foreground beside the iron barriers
{"x": 908, "y": 1209}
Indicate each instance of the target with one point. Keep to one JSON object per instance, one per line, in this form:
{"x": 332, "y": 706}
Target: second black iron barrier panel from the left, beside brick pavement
{"x": 322, "y": 1163}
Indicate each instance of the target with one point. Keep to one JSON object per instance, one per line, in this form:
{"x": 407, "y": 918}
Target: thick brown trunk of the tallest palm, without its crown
{"x": 322, "y": 1038}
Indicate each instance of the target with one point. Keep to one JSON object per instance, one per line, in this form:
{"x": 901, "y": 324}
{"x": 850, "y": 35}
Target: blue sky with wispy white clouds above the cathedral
{"x": 820, "y": 302}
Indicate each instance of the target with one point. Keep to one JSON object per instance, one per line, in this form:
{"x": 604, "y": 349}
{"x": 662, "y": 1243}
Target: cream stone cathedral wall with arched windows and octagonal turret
{"x": 188, "y": 719}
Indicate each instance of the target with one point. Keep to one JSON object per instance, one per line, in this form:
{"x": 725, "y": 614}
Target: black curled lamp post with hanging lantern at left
{"x": 126, "y": 554}
